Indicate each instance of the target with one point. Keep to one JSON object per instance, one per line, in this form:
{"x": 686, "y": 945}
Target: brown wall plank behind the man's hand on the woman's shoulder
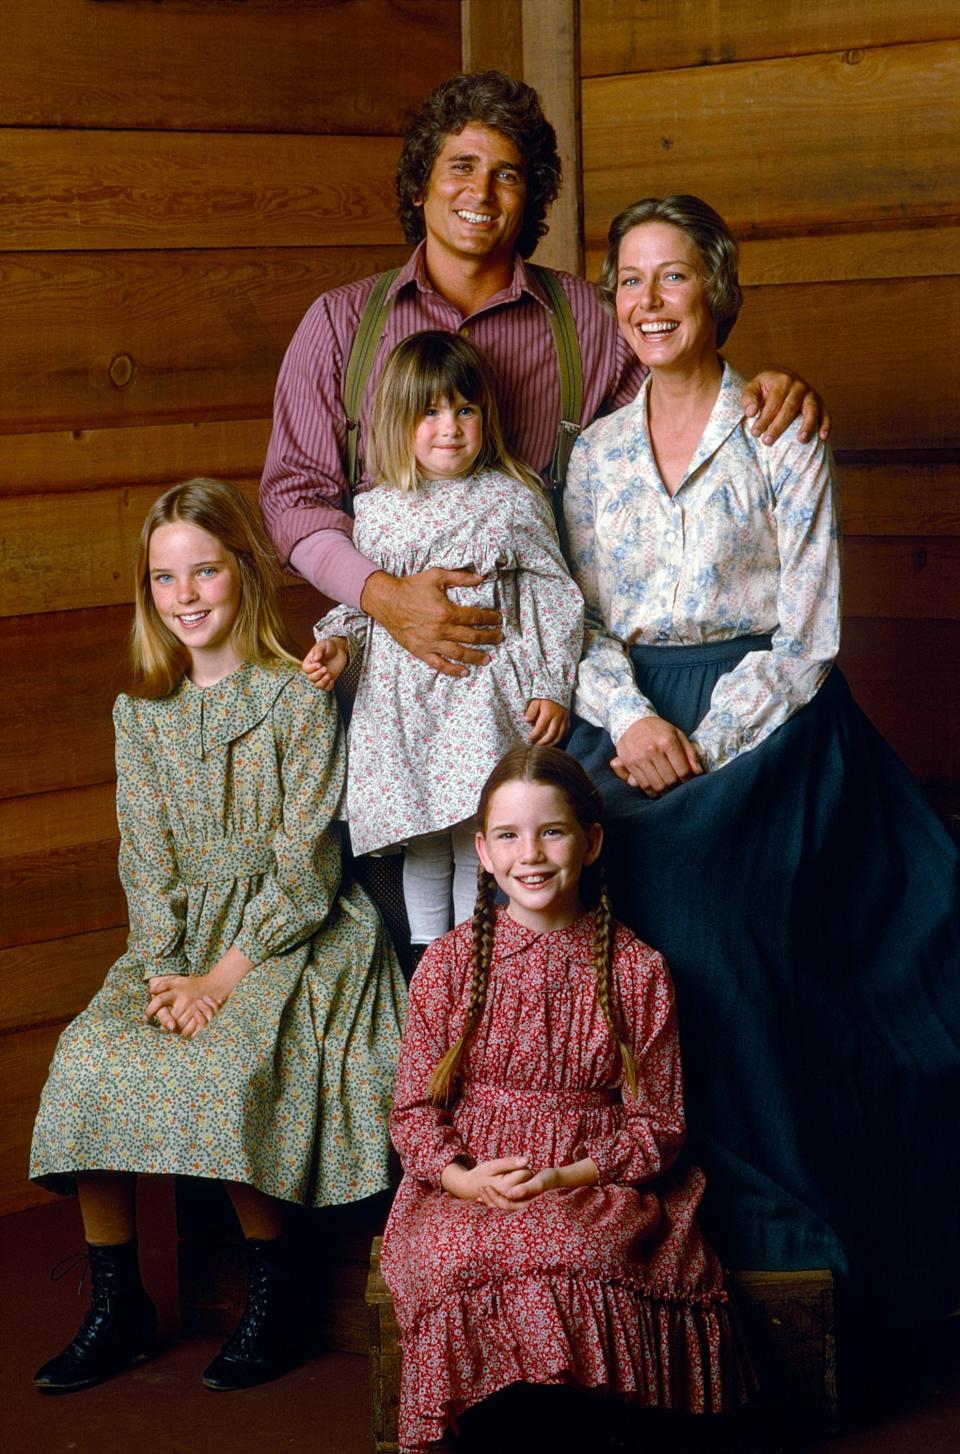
{"x": 888, "y": 387}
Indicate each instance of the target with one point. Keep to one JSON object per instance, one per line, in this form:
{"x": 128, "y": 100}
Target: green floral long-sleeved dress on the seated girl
{"x": 226, "y": 798}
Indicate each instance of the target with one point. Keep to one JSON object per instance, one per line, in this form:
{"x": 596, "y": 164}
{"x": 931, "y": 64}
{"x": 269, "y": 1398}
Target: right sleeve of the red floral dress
{"x": 652, "y": 1130}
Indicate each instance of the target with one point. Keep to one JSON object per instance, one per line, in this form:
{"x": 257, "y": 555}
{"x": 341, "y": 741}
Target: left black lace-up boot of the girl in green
{"x": 119, "y": 1331}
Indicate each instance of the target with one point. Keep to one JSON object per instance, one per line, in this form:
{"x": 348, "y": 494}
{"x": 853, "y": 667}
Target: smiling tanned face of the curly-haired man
{"x": 475, "y": 197}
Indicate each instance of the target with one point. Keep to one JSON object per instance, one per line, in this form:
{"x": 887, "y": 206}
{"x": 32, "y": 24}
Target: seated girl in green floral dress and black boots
{"x": 249, "y": 1033}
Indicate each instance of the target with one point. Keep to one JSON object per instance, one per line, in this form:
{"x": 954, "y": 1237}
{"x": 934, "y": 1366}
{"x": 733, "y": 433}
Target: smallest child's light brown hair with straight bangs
{"x": 427, "y": 370}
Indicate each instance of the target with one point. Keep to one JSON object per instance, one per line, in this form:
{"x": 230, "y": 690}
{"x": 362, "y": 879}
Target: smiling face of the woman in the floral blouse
{"x": 661, "y": 299}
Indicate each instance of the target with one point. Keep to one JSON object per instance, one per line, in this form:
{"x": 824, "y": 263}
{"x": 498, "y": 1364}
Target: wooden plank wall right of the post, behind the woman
{"x": 827, "y": 136}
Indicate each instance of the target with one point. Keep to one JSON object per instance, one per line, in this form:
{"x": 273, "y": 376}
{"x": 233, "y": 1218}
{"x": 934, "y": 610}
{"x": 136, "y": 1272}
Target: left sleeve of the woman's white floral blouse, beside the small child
{"x": 607, "y": 694}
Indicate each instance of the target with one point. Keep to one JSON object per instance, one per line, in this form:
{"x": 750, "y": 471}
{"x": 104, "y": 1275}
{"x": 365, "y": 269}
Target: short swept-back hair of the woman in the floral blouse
{"x": 709, "y": 235}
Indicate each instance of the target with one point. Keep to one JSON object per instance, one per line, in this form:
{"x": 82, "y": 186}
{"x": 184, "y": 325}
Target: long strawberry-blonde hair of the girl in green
{"x": 159, "y": 659}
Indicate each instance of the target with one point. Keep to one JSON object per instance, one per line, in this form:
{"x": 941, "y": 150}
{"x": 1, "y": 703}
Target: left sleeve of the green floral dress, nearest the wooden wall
{"x": 156, "y": 899}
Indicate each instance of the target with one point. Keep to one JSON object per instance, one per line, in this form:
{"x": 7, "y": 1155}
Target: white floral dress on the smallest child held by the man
{"x": 421, "y": 744}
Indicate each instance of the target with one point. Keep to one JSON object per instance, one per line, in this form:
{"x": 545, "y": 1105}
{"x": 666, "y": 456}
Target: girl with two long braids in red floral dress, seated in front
{"x": 539, "y": 1237}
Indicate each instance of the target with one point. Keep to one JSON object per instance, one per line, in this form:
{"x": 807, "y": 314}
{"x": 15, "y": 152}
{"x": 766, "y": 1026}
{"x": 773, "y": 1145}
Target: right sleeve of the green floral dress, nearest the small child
{"x": 295, "y": 902}
